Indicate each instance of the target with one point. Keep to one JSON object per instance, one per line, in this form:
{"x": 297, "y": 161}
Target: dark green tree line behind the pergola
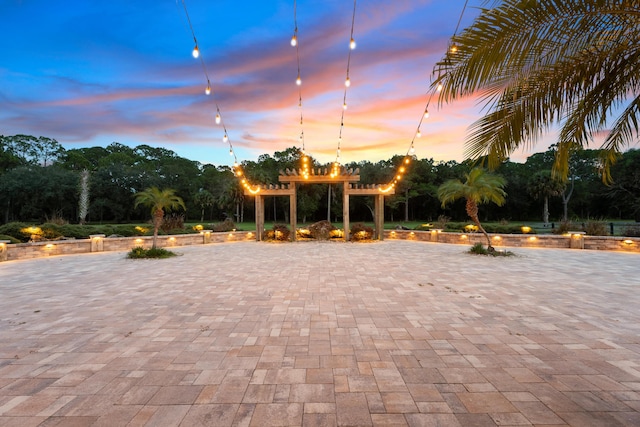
{"x": 40, "y": 180}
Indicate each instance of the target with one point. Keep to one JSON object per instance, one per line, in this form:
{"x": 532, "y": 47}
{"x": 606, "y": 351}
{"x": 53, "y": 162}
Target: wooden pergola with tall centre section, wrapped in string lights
{"x": 289, "y": 180}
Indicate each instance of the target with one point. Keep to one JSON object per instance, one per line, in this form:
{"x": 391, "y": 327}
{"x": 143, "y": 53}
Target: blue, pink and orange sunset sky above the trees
{"x": 91, "y": 73}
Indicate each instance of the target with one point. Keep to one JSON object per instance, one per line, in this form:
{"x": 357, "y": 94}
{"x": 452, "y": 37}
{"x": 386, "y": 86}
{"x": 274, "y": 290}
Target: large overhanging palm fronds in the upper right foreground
{"x": 539, "y": 63}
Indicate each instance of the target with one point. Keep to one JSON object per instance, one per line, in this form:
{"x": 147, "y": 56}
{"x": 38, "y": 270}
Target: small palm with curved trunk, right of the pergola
{"x": 479, "y": 187}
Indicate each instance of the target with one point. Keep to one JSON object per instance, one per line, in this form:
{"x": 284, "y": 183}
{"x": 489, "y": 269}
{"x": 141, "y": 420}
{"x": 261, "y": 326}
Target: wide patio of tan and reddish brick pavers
{"x": 321, "y": 334}
